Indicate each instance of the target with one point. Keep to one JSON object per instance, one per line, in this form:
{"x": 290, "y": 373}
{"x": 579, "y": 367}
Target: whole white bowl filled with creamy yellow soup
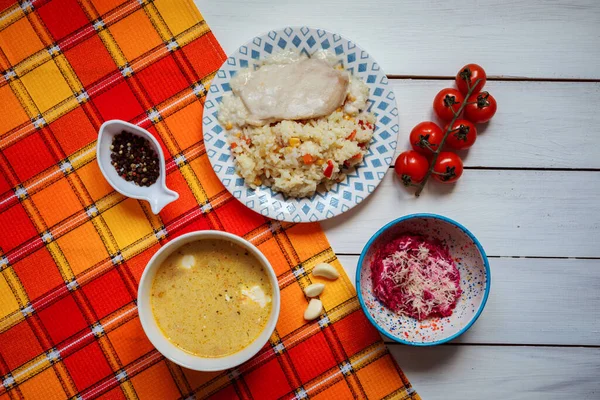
{"x": 208, "y": 300}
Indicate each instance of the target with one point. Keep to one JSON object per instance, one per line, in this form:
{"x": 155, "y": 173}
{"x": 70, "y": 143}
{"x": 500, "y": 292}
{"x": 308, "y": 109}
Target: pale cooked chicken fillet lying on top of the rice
{"x": 306, "y": 89}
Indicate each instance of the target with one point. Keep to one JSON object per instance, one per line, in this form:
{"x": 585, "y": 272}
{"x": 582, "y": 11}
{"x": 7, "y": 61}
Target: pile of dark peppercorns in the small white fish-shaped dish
{"x": 134, "y": 159}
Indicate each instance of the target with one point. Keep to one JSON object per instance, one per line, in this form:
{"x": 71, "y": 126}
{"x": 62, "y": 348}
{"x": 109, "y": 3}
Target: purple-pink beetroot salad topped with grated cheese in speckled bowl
{"x": 416, "y": 277}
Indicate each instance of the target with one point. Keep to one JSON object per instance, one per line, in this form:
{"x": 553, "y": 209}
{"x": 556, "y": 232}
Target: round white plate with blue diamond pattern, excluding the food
{"x": 359, "y": 183}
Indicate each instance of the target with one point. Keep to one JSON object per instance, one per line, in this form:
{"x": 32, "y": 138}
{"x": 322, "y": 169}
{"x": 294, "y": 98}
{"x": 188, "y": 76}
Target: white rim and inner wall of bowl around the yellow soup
{"x": 178, "y": 355}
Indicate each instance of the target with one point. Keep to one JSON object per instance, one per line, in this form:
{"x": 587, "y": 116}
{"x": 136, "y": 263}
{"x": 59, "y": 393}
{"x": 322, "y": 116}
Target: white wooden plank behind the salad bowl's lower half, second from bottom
{"x": 535, "y": 301}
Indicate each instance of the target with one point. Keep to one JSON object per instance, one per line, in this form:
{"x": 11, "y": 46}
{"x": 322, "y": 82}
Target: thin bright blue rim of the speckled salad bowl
{"x": 434, "y": 216}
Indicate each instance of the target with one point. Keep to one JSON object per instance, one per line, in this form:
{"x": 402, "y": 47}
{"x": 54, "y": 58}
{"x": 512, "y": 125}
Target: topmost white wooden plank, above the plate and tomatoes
{"x": 535, "y": 39}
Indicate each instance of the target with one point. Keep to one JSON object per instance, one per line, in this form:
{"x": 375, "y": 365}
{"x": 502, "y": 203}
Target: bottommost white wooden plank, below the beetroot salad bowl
{"x": 453, "y": 372}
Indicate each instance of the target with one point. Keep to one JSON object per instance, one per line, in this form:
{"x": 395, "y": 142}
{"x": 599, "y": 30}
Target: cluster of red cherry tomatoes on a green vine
{"x": 460, "y": 109}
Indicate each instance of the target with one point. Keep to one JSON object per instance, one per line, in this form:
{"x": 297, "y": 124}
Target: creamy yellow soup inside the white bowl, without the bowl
{"x": 211, "y": 298}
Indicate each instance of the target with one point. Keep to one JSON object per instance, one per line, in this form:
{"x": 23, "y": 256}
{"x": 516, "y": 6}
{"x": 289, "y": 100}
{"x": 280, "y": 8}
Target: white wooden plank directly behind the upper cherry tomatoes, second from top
{"x": 538, "y": 124}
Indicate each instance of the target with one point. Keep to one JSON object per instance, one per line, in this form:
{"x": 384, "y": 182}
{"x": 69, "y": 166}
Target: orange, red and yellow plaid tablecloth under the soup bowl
{"x": 72, "y": 250}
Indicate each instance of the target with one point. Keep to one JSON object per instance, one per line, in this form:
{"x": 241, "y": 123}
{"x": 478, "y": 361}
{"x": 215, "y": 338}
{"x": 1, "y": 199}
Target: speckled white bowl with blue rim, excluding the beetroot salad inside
{"x": 475, "y": 280}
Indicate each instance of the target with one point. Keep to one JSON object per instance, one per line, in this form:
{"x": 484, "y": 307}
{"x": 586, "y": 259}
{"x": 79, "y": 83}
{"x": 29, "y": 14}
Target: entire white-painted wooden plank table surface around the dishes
{"x": 531, "y": 189}
